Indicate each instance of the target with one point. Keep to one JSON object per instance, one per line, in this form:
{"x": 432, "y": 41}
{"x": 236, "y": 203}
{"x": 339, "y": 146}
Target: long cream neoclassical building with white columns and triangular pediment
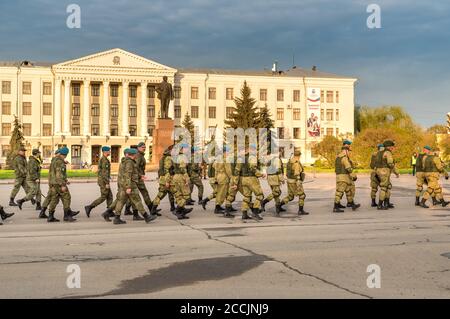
{"x": 109, "y": 98}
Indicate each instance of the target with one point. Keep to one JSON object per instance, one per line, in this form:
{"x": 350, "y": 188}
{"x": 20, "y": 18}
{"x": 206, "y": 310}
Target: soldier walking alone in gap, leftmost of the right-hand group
{"x": 344, "y": 179}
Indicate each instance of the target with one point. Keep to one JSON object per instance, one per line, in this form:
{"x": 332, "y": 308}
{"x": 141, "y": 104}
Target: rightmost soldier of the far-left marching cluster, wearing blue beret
{"x": 57, "y": 180}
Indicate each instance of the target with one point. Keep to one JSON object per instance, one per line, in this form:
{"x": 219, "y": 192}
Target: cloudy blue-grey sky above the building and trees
{"x": 406, "y": 62}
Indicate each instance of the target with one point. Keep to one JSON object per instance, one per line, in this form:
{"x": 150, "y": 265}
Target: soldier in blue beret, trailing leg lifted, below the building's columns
{"x": 103, "y": 181}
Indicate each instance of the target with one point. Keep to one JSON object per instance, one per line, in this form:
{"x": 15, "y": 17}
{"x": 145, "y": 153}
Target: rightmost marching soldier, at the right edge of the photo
{"x": 433, "y": 168}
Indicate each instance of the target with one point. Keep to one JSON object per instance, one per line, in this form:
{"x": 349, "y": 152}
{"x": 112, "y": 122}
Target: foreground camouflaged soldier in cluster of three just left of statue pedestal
{"x": 128, "y": 179}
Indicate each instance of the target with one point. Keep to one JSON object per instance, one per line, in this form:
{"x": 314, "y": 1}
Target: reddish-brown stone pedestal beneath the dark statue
{"x": 162, "y": 138}
